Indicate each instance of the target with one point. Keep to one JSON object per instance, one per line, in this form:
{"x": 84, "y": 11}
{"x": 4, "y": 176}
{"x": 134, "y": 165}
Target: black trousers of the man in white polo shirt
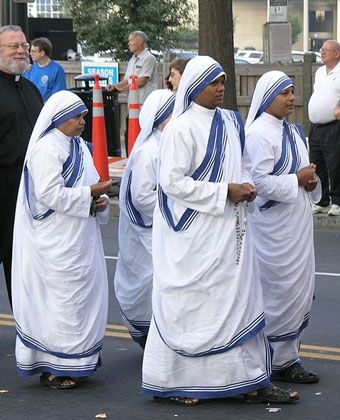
{"x": 324, "y": 151}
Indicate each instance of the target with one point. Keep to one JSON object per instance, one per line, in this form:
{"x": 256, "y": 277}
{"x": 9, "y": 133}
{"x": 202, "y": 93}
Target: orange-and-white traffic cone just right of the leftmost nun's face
{"x": 99, "y": 133}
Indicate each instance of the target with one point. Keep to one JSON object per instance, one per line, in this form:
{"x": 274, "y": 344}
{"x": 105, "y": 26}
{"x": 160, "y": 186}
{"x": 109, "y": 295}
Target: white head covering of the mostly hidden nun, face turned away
{"x": 157, "y": 107}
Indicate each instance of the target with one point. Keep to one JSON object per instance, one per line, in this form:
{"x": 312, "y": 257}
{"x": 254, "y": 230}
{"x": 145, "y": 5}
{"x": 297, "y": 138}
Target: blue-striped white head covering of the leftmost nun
{"x": 58, "y": 109}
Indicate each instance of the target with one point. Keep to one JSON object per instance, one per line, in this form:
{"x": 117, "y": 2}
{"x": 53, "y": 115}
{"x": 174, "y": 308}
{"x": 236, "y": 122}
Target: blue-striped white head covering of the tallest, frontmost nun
{"x": 198, "y": 74}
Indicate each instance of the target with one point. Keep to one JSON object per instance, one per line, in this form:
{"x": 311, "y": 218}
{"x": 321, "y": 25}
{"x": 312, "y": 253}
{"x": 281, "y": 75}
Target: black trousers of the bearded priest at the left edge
{"x": 10, "y": 180}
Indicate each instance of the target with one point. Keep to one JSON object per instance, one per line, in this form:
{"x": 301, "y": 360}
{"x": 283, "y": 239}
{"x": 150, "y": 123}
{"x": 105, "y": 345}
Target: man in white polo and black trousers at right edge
{"x": 324, "y": 136}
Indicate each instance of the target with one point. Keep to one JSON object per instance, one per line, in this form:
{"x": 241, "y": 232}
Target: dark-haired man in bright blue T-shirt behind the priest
{"x": 47, "y": 75}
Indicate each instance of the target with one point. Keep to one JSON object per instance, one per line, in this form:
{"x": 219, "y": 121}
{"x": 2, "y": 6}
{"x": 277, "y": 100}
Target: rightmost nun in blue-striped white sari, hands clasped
{"x": 282, "y": 224}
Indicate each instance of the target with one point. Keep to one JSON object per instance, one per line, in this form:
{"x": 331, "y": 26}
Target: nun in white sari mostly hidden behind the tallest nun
{"x": 137, "y": 198}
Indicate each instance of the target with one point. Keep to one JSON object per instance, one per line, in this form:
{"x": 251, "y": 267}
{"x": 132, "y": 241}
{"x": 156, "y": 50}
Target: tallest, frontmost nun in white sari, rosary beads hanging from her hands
{"x": 205, "y": 338}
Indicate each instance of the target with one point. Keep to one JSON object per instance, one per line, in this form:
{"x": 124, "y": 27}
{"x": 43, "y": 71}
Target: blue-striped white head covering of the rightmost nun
{"x": 267, "y": 88}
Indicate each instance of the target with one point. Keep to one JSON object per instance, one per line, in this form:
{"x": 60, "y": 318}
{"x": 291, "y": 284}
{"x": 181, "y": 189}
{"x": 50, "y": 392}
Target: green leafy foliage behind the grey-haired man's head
{"x": 104, "y": 25}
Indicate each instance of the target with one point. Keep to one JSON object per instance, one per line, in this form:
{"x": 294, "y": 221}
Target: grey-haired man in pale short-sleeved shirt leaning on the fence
{"x": 142, "y": 64}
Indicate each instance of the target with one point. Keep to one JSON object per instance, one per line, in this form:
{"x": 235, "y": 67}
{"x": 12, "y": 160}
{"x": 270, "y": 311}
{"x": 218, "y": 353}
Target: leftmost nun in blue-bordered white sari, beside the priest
{"x": 60, "y": 290}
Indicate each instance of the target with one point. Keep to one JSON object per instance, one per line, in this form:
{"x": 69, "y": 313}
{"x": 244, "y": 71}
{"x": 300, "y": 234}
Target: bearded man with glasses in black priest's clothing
{"x": 19, "y": 108}
